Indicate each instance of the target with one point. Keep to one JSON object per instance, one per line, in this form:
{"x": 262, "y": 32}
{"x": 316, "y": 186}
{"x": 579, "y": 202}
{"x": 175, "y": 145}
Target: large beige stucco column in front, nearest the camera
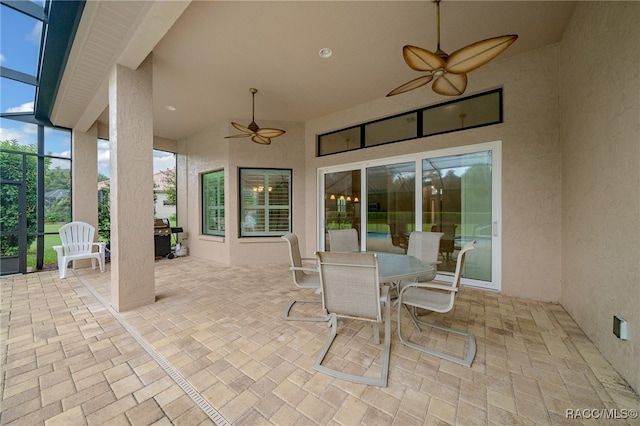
{"x": 131, "y": 146}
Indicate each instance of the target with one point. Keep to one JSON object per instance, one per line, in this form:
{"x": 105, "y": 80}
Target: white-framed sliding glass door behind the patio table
{"x": 454, "y": 191}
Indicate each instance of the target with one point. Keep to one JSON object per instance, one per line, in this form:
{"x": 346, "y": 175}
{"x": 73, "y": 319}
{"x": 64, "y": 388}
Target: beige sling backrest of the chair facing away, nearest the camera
{"x": 350, "y": 285}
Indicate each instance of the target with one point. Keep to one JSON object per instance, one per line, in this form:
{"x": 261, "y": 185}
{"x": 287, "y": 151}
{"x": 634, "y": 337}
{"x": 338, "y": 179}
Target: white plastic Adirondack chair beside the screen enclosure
{"x": 77, "y": 243}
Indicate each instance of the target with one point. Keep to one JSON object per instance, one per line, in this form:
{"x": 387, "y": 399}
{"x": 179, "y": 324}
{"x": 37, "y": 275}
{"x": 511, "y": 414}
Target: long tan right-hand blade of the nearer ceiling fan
{"x": 477, "y": 54}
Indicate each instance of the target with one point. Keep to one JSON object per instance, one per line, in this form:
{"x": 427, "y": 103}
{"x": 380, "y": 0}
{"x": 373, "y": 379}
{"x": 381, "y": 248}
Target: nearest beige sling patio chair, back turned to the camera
{"x": 350, "y": 289}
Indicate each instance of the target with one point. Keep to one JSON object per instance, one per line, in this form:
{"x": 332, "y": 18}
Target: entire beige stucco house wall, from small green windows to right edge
{"x": 570, "y": 178}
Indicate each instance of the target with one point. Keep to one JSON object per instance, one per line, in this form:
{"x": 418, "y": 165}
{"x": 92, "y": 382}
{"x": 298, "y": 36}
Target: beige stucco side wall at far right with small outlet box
{"x": 600, "y": 109}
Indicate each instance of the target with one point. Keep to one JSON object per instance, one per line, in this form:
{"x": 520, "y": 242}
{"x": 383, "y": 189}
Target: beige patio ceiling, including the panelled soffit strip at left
{"x": 216, "y": 50}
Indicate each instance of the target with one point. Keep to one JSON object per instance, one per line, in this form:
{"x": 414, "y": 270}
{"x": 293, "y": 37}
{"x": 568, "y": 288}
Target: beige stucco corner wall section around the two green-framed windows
{"x": 208, "y": 151}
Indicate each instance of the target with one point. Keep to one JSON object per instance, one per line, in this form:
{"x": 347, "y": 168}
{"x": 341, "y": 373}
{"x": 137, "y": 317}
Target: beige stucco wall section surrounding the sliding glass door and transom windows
{"x": 531, "y": 196}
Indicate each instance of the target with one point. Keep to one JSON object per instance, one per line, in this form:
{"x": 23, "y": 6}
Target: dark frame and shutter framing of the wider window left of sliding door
{"x": 243, "y": 208}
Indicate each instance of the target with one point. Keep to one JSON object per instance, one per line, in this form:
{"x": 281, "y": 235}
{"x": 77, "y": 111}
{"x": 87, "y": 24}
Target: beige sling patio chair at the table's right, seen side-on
{"x": 436, "y": 297}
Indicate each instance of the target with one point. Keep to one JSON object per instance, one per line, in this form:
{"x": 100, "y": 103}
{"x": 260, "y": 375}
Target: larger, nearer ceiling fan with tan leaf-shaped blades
{"x": 449, "y": 72}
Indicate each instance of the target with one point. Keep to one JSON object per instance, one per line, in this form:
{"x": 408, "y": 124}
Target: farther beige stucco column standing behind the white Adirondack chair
{"x": 84, "y": 181}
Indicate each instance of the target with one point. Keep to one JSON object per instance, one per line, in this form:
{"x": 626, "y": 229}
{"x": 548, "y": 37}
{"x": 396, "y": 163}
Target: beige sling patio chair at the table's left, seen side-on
{"x": 305, "y": 277}
